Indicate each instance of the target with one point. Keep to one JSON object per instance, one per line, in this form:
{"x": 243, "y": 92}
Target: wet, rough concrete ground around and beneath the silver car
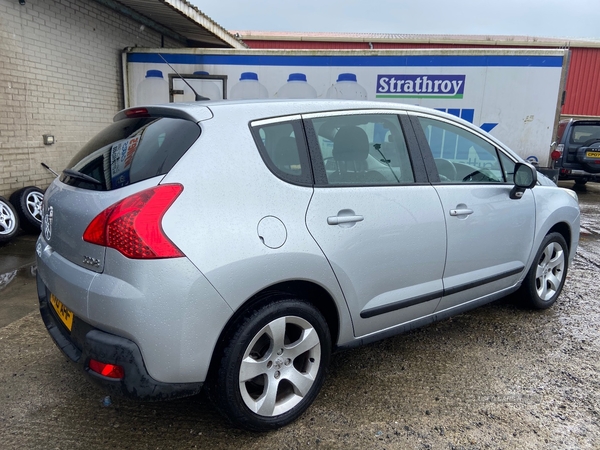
{"x": 496, "y": 377}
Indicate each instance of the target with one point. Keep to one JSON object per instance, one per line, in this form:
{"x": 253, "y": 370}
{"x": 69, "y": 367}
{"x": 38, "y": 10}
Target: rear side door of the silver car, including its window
{"x": 376, "y": 217}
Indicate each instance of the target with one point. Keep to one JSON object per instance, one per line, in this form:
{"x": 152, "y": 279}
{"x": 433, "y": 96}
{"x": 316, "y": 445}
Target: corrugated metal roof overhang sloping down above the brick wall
{"x": 186, "y": 20}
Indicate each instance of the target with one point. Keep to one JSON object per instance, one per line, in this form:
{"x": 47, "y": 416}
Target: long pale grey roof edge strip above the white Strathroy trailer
{"x": 528, "y": 41}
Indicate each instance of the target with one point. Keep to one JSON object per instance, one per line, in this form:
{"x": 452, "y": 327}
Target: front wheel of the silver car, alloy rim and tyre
{"x": 546, "y": 277}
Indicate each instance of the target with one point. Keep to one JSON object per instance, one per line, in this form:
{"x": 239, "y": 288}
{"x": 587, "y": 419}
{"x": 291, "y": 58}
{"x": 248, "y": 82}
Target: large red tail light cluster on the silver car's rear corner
{"x": 133, "y": 225}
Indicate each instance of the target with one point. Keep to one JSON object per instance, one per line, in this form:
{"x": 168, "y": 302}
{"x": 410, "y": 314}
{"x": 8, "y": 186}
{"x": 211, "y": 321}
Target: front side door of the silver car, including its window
{"x": 489, "y": 235}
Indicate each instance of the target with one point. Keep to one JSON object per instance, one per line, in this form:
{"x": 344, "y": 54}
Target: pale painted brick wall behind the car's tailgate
{"x": 60, "y": 74}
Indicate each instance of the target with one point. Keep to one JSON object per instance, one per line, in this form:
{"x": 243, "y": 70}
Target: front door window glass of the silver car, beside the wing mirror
{"x": 461, "y": 156}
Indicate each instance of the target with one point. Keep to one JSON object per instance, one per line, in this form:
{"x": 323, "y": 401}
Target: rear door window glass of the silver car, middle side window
{"x": 363, "y": 149}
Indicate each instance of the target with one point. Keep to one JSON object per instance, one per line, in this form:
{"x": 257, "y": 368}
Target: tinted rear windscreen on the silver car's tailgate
{"x": 129, "y": 151}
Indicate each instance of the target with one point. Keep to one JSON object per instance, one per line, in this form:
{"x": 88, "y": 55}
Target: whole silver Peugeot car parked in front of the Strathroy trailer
{"x": 235, "y": 245}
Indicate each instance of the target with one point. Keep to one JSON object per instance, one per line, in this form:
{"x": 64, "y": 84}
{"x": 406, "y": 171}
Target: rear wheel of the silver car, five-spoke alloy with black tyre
{"x": 273, "y": 365}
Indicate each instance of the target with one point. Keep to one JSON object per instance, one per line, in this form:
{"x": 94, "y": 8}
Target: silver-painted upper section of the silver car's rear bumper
{"x": 166, "y": 307}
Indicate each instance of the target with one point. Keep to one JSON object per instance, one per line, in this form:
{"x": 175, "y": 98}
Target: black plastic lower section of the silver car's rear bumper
{"x": 84, "y": 342}
